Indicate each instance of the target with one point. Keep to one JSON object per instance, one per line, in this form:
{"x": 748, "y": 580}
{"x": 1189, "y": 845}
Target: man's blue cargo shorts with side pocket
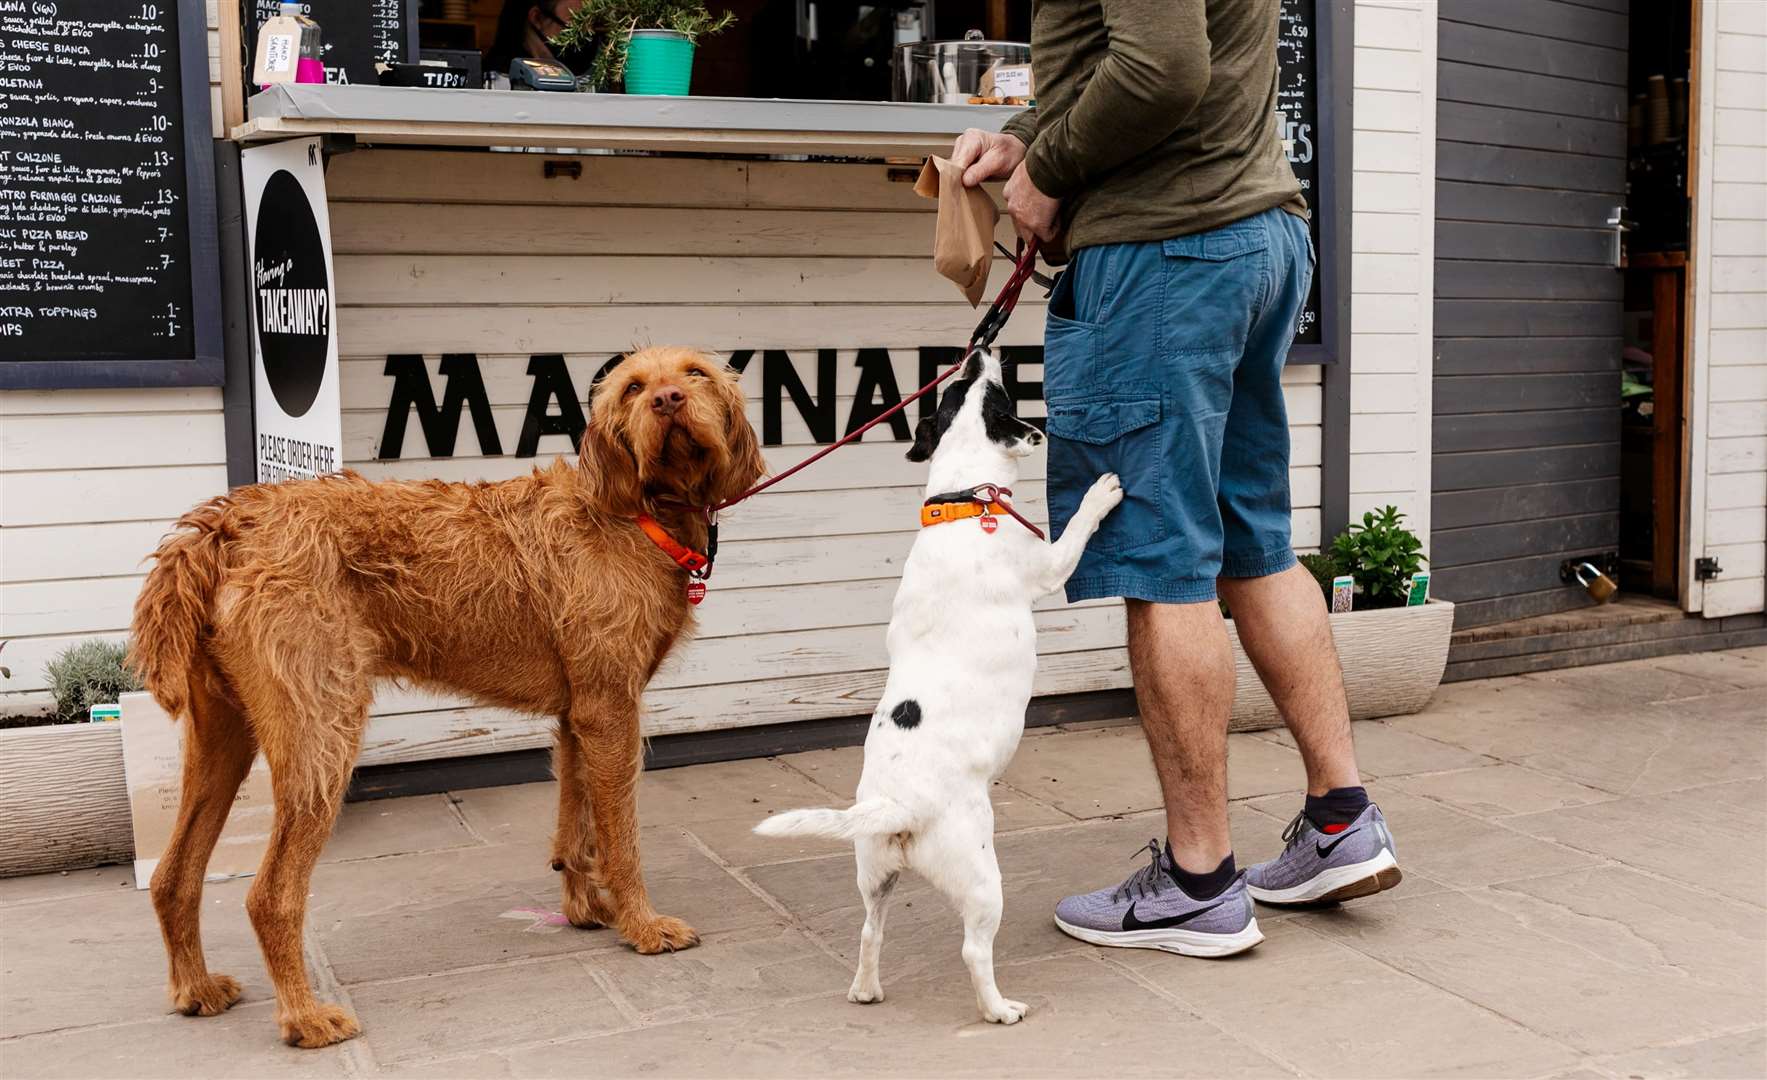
{"x": 1164, "y": 363}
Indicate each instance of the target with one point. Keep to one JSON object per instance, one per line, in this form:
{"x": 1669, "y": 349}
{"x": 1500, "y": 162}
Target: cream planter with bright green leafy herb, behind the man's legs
{"x": 1393, "y": 653}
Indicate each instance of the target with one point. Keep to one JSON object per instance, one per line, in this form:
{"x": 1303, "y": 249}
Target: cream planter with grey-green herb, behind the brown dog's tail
{"x": 63, "y": 793}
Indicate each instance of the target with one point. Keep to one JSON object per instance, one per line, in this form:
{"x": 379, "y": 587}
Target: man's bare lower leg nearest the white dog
{"x": 1183, "y": 673}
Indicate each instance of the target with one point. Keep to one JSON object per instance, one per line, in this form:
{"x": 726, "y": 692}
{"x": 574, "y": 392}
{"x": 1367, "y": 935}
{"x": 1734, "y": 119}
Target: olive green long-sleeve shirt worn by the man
{"x": 1155, "y": 118}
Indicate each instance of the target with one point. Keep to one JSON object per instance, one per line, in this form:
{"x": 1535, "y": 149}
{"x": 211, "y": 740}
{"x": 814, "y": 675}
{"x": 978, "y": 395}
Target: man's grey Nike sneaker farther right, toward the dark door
{"x": 1330, "y": 867}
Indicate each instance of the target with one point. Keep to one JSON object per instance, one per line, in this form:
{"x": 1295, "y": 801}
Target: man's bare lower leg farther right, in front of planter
{"x": 1285, "y": 632}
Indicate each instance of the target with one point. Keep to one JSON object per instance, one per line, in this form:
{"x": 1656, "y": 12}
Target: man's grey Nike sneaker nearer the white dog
{"x": 1151, "y": 911}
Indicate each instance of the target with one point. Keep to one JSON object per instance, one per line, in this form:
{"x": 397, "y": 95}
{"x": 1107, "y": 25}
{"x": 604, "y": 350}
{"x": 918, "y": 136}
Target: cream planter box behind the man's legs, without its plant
{"x": 1393, "y": 660}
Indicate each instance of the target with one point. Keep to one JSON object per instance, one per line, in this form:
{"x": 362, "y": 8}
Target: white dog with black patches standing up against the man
{"x": 964, "y": 651}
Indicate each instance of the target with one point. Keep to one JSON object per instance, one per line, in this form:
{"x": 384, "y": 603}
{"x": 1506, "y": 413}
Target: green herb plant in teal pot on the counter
{"x": 644, "y": 43}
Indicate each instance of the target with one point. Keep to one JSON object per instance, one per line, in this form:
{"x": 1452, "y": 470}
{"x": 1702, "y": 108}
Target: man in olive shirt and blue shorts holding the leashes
{"x": 1153, "y": 156}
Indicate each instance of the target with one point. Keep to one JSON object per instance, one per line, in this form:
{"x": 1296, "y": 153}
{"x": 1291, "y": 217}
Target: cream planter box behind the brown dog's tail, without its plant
{"x": 63, "y": 798}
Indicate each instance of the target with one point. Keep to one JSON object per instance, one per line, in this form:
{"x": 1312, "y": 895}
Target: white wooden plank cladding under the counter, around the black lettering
{"x": 448, "y": 254}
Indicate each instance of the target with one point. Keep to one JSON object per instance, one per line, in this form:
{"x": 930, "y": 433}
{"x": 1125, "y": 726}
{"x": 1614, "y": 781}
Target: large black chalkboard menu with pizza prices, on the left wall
{"x": 107, "y": 195}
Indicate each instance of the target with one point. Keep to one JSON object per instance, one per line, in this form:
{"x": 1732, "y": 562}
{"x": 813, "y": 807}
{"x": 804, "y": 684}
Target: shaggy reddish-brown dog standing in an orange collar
{"x": 271, "y": 612}
